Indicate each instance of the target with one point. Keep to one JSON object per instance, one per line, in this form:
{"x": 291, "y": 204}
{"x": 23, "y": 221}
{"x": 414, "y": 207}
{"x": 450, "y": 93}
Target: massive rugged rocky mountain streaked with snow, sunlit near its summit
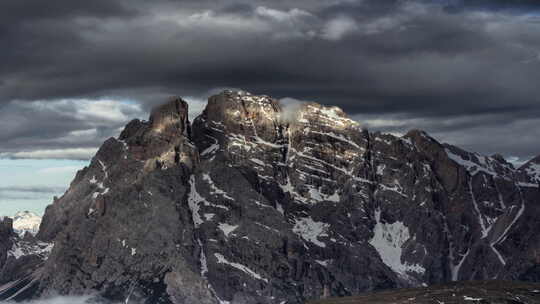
{"x": 256, "y": 202}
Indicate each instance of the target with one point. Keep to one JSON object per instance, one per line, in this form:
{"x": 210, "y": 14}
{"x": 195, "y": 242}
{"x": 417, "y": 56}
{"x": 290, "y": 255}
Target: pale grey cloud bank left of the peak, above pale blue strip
{"x": 60, "y": 129}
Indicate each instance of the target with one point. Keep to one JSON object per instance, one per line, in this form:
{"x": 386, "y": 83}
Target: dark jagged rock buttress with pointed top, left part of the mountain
{"x": 124, "y": 221}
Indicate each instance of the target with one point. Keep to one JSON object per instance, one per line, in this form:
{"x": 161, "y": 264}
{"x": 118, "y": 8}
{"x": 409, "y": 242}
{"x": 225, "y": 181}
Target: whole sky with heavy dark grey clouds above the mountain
{"x": 74, "y": 73}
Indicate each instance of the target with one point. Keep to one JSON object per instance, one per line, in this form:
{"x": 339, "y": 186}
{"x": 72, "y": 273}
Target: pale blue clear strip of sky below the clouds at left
{"x": 30, "y": 184}
